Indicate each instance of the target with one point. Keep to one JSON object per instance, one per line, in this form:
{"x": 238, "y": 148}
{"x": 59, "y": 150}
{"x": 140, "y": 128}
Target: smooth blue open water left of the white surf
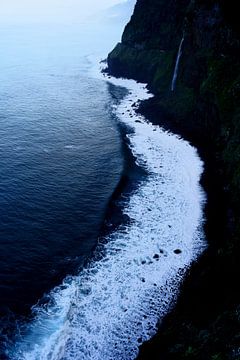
{"x": 60, "y": 157}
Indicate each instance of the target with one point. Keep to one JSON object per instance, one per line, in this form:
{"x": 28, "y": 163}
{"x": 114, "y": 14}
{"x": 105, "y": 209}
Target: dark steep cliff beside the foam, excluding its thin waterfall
{"x": 204, "y": 107}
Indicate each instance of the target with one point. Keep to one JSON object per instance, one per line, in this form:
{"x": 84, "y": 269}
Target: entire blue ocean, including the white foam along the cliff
{"x": 101, "y": 212}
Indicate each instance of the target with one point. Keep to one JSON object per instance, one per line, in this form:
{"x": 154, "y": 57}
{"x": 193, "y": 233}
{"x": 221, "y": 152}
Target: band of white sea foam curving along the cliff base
{"x": 115, "y": 304}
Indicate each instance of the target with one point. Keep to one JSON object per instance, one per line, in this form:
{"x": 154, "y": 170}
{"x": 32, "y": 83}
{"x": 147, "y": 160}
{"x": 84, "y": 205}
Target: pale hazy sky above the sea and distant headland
{"x": 21, "y": 11}
